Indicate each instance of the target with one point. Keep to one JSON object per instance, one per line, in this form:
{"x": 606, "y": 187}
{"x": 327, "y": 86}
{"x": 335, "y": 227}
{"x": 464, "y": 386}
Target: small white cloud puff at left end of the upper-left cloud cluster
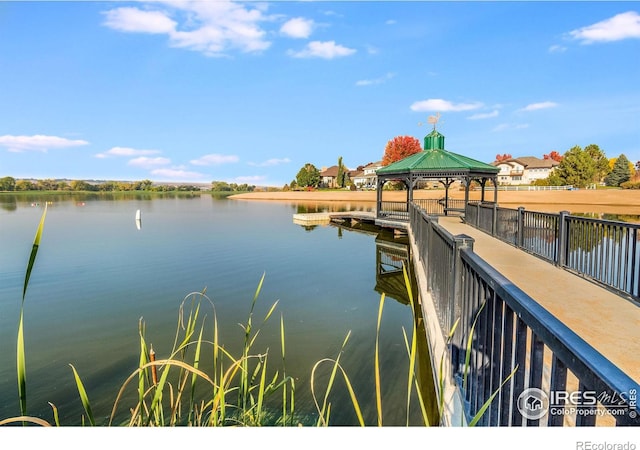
{"x": 134, "y": 20}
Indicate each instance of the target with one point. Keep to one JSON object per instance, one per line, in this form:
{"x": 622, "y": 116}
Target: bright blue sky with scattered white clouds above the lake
{"x": 248, "y": 92}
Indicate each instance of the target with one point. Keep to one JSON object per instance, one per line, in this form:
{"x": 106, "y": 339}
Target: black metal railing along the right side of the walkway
{"x": 604, "y": 251}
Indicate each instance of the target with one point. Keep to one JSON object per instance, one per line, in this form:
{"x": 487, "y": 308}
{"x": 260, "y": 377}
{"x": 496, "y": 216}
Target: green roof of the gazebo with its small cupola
{"x": 434, "y": 158}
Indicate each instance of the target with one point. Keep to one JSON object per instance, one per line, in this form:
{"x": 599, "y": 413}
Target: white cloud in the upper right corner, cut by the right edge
{"x": 622, "y": 26}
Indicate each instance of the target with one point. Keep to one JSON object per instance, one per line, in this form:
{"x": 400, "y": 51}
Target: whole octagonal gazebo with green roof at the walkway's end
{"x": 433, "y": 163}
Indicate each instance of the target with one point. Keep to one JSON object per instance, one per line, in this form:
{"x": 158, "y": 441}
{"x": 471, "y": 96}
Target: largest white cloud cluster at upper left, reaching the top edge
{"x": 212, "y": 28}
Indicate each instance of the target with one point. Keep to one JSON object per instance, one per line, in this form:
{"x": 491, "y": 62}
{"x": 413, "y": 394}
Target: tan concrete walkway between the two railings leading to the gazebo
{"x": 608, "y": 322}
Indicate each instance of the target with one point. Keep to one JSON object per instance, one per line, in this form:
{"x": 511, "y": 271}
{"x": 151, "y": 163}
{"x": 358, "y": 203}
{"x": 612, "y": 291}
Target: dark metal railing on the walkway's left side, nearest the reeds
{"x": 513, "y": 346}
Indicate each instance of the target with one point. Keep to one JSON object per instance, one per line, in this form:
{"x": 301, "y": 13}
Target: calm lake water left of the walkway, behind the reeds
{"x": 97, "y": 275}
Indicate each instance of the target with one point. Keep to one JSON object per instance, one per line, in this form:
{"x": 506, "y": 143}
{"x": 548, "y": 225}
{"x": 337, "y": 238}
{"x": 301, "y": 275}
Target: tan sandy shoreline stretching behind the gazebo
{"x": 612, "y": 201}
